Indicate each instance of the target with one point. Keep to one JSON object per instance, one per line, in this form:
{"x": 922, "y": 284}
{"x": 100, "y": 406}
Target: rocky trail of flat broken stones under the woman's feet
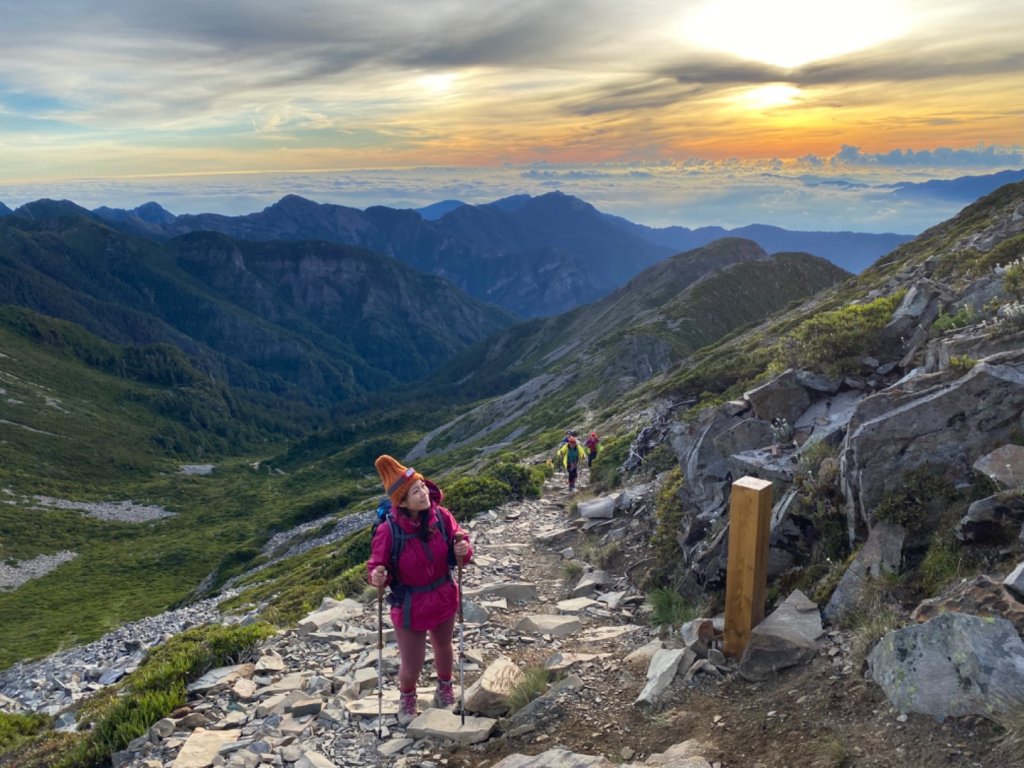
{"x": 534, "y": 601}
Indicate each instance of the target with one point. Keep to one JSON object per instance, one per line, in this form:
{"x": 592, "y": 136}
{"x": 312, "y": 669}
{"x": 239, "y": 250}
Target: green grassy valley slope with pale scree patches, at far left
{"x": 100, "y": 500}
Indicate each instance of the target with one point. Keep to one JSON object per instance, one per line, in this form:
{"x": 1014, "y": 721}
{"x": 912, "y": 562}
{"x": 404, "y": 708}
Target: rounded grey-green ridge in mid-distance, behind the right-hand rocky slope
{"x": 586, "y": 359}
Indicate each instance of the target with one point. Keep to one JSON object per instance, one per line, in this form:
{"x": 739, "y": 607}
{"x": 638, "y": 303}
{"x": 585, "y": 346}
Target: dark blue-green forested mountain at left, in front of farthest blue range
{"x": 305, "y": 321}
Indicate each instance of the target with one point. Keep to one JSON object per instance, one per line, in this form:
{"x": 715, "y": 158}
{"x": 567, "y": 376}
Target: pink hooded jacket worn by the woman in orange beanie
{"x": 421, "y": 564}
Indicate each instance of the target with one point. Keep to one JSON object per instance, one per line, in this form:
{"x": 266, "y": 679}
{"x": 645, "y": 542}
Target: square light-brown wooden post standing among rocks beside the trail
{"x": 747, "y": 570}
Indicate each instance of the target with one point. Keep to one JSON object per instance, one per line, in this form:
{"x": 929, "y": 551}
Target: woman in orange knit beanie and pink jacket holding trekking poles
{"x": 414, "y": 553}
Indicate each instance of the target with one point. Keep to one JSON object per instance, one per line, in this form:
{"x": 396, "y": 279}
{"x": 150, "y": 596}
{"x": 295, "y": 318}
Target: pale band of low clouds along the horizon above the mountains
{"x": 659, "y": 196}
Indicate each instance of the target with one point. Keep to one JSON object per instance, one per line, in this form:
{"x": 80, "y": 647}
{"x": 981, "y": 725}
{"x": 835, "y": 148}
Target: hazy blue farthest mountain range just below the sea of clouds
{"x": 537, "y": 257}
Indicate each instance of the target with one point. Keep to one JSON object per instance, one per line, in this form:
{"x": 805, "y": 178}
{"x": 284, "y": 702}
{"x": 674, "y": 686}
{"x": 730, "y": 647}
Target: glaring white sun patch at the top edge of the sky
{"x": 792, "y": 33}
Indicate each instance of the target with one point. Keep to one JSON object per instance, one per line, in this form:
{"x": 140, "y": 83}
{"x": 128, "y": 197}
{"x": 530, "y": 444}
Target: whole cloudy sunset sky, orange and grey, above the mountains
{"x": 691, "y": 113}
